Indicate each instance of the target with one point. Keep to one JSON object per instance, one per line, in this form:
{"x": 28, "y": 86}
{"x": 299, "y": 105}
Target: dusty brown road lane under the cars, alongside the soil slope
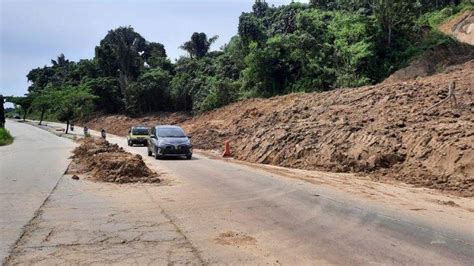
{"x": 234, "y": 214}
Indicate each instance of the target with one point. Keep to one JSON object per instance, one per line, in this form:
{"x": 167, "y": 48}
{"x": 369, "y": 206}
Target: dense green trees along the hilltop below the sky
{"x": 298, "y": 47}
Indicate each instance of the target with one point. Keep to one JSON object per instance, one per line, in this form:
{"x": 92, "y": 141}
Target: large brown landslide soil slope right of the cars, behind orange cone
{"x": 382, "y": 130}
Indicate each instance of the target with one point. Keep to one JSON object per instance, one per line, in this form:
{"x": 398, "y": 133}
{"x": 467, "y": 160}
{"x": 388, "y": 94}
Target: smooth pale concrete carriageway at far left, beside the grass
{"x": 27, "y": 176}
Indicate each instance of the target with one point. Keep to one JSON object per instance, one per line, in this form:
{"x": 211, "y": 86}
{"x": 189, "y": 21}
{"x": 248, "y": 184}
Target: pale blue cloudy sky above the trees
{"x": 33, "y": 32}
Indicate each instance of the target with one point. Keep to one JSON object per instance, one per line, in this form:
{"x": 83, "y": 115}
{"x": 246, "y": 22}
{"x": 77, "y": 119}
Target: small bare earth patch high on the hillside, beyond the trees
{"x": 461, "y": 27}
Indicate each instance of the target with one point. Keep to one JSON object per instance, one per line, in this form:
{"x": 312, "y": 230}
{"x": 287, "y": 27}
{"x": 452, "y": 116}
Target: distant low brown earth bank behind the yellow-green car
{"x": 119, "y": 124}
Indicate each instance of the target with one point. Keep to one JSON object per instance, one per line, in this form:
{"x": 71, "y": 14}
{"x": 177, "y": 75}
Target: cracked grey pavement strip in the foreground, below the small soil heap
{"x": 86, "y": 222}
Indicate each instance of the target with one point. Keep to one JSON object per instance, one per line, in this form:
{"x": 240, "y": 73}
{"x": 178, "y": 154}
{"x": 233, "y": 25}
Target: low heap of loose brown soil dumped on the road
{"x": 109, "y": 163}
